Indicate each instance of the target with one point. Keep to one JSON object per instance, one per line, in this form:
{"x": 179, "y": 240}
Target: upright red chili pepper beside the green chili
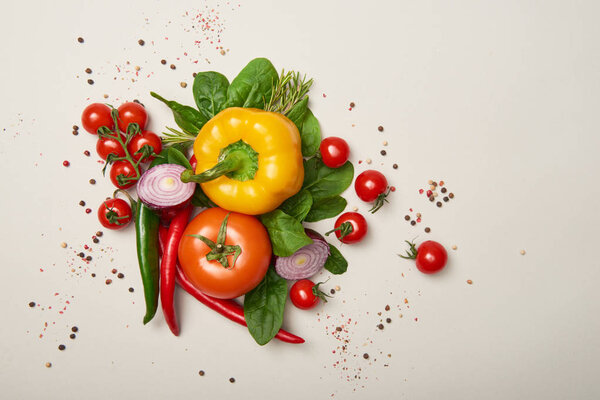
{"x": 168, "y": 265}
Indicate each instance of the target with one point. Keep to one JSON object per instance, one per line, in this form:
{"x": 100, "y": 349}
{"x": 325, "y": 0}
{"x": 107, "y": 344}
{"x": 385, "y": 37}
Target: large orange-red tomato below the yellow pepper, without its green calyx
{"x": 211, "y": 277}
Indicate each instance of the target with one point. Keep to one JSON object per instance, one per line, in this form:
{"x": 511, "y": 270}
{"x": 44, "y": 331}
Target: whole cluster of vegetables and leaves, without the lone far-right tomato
{"x": 259, "y": 170}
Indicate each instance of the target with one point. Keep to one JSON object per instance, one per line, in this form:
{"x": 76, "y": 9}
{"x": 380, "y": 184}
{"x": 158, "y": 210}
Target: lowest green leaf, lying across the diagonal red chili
{"x": 263, "y": 307}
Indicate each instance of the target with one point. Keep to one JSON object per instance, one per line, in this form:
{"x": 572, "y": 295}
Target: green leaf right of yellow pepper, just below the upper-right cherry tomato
{"x": 323, "y": 182}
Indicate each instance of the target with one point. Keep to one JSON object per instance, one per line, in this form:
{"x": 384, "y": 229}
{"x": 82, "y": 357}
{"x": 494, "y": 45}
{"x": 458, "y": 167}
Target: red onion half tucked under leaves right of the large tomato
{"x": 305, "y": 262}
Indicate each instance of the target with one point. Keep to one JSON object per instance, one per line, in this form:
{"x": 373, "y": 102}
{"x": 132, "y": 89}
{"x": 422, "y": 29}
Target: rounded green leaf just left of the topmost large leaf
{"x": 210, "y": 92}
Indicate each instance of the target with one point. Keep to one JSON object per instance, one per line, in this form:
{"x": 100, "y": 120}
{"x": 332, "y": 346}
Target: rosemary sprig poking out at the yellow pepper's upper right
{"x": 289, "y": 90}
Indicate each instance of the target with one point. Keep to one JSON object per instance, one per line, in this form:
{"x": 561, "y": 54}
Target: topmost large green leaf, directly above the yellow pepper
{"x": 253, "y": 85}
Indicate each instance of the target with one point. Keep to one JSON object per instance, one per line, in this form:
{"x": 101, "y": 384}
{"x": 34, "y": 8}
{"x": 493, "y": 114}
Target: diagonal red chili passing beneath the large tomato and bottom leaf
{"x": 228, "y": 308}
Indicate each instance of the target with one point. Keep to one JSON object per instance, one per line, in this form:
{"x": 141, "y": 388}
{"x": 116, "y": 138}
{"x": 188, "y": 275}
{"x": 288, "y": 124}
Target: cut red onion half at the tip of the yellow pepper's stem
{"x": 161, "y": 187}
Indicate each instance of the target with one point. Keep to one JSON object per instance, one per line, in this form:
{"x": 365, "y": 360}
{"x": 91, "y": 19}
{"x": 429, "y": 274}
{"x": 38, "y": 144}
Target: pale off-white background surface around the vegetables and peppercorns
{"x": 499, "y": 99}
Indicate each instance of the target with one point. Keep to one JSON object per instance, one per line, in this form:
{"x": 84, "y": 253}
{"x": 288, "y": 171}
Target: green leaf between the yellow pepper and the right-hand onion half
{"x": 286, "y": 233}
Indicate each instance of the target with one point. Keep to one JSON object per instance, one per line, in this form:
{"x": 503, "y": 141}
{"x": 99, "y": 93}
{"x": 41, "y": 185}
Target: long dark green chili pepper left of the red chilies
{"x": 146, "y": 229}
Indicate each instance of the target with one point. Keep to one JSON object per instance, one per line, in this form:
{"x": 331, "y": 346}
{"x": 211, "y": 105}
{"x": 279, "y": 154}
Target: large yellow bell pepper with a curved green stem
{"x": 248, "y": 160}
